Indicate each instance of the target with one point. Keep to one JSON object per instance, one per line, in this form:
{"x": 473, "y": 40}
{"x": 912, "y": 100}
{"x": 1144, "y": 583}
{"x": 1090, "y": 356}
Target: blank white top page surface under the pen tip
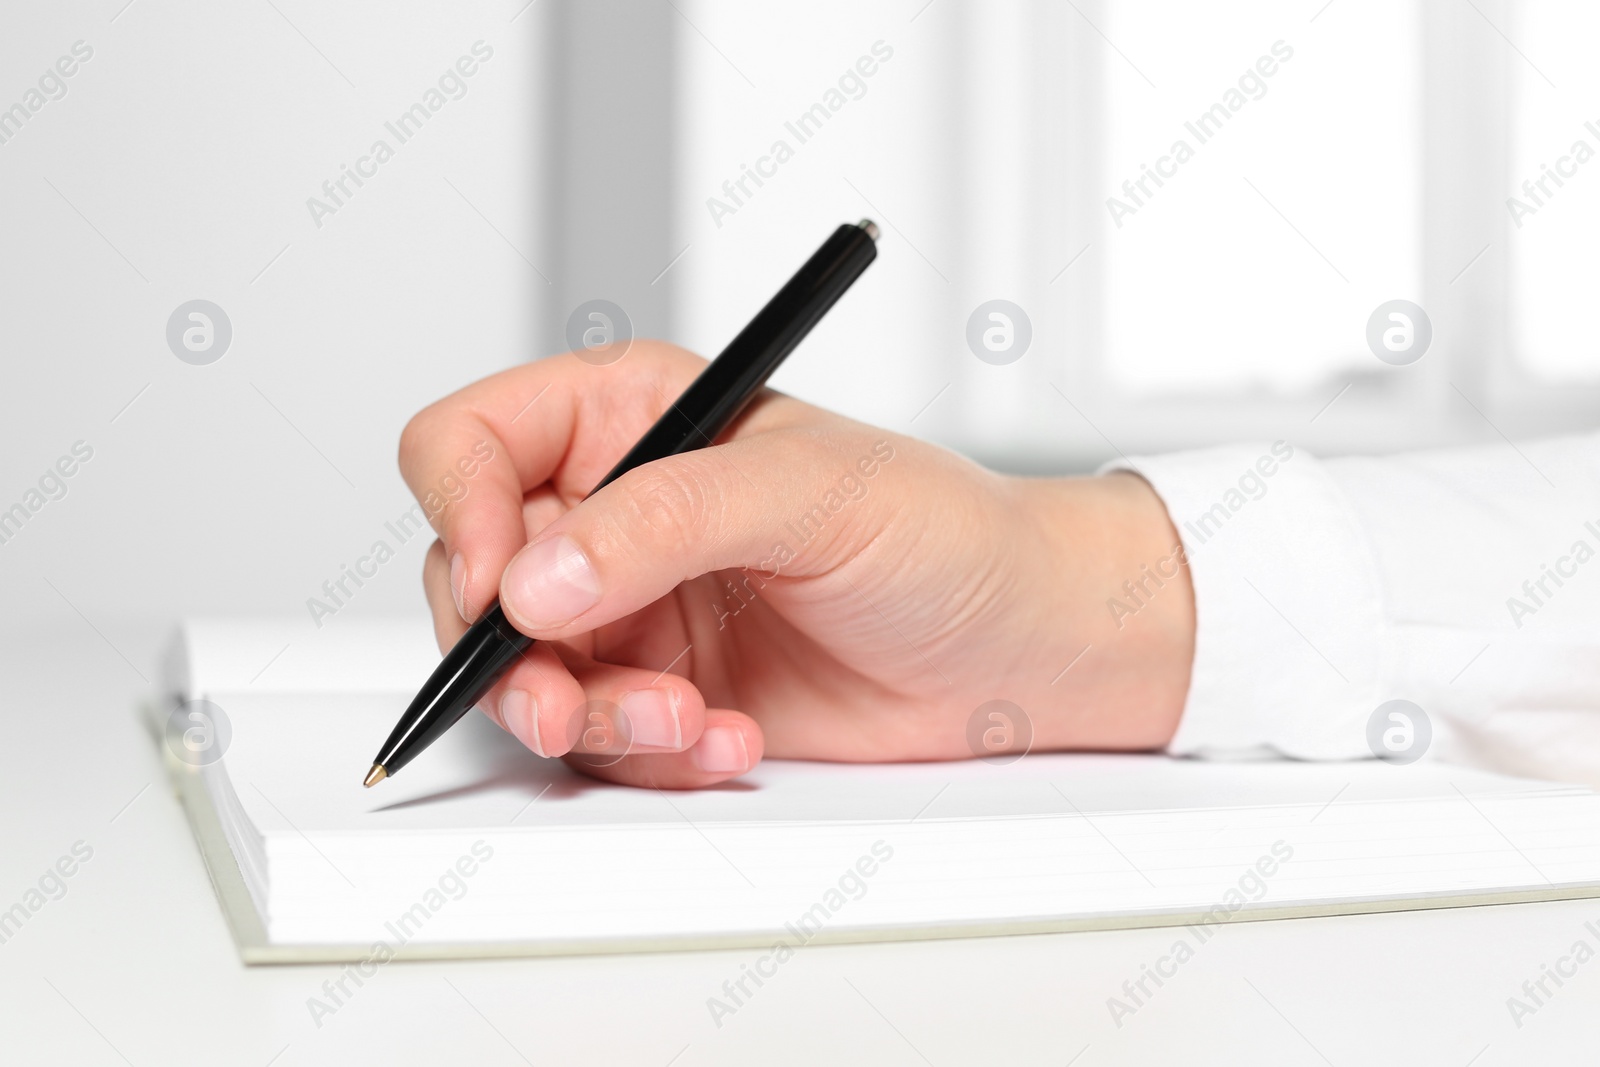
{"x": 308, "y": 754}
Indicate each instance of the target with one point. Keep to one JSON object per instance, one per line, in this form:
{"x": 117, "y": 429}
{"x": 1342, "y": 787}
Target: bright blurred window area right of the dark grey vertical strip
{"x": 1234, "y": 303}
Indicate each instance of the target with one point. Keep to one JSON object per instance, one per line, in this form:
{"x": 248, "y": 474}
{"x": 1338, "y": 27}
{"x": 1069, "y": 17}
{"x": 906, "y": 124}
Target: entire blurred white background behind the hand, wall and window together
{"x": 580, "y": 166}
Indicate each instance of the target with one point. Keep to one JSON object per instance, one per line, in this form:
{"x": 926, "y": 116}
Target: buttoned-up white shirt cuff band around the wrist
{"x": 1292, "y": 641}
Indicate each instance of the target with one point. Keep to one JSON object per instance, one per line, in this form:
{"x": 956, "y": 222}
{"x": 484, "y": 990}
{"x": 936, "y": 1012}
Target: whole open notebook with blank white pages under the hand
{"x": 482, "y": 849}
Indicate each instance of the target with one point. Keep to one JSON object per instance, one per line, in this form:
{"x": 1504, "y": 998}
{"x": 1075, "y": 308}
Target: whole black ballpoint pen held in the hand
{"x": 713, "y": 401}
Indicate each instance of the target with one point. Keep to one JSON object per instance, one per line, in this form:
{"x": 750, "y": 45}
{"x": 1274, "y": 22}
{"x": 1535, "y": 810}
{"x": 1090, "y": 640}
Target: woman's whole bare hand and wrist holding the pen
{"x": 809, "y": 588}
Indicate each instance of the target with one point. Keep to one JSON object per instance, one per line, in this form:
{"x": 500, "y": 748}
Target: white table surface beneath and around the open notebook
{"x": 135, "y": 964}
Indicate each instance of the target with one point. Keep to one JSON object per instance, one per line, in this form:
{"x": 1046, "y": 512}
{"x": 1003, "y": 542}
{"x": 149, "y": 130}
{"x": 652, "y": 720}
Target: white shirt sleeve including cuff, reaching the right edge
{"x": 1466, "y": 581}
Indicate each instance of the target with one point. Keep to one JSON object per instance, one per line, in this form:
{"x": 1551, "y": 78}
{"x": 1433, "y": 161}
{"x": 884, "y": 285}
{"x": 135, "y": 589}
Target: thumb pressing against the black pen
{"x": 769, "y": 503}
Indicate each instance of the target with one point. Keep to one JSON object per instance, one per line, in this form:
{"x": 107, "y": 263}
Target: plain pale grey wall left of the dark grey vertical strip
{"x": 178, "y": 166}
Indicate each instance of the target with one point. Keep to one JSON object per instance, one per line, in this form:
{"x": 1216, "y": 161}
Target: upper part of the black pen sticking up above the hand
{"x": 724, "y": 390}
